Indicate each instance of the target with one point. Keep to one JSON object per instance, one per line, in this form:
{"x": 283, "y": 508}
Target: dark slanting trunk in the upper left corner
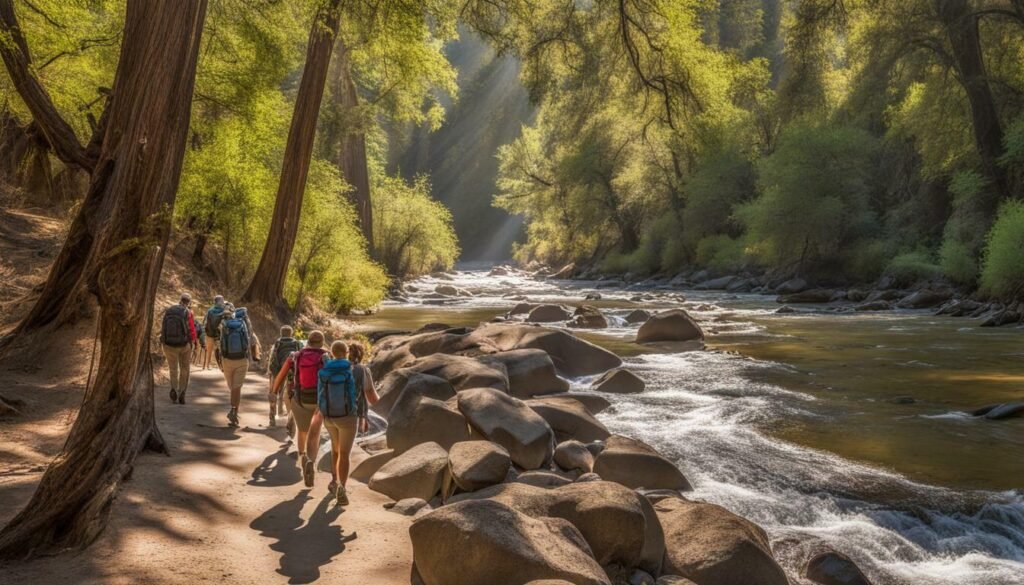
{"x": 19, "y": 62}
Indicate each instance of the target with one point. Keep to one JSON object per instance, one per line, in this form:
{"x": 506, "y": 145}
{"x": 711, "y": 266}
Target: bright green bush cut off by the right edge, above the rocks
{"x": 1003, "y": 274}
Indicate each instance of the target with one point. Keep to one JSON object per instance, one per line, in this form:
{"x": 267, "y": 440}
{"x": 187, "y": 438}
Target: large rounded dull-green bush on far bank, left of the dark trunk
{"x": 816, "y": 191}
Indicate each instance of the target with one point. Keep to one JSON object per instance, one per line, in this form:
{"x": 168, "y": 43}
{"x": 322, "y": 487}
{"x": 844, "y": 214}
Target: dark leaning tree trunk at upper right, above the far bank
{"x": 962, "y": 29}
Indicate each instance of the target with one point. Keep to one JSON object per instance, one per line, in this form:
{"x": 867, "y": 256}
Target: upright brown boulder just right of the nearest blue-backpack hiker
{"x": 417, "y": 420}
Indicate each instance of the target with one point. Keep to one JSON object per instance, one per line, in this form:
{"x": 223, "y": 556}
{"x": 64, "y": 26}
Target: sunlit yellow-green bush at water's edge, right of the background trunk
{"x": 413, "y": 234}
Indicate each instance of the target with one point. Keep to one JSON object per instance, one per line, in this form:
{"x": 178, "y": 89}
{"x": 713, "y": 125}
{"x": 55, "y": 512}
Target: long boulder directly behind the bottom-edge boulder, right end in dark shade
{"x": 610, "y": 517}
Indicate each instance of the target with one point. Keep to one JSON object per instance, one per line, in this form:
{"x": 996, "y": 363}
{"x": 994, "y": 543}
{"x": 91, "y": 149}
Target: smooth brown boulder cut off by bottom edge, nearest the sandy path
{"x": 477, "y": 542}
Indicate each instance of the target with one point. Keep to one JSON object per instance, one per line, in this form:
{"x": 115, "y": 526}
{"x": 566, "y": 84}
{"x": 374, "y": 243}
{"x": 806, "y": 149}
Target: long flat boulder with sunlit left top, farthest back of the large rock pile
{"x": 573, "y": 357}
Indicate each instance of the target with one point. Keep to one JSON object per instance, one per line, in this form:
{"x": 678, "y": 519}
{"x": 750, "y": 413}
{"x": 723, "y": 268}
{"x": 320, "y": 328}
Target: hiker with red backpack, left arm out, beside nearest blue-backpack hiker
{"x": 307, "y": 364}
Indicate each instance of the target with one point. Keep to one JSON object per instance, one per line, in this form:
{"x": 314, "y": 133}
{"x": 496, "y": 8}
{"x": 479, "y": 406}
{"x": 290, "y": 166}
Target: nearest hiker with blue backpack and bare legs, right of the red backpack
{"x": 345, "y": 389}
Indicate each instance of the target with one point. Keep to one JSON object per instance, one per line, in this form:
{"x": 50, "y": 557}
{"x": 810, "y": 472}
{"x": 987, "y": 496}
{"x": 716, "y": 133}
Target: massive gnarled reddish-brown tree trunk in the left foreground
{"x": 136, "y": 182}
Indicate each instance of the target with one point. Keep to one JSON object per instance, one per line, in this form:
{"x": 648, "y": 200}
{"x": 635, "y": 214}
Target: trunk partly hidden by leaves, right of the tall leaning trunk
{"x": 352, "y": 149}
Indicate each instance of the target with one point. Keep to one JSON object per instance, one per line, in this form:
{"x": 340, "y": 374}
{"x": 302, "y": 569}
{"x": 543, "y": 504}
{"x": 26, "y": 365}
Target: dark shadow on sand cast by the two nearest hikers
{"x": 305, "y": 548}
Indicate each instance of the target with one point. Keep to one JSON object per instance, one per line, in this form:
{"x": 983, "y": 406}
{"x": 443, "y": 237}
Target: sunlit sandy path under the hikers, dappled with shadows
{"x": 228, "y": 507}
